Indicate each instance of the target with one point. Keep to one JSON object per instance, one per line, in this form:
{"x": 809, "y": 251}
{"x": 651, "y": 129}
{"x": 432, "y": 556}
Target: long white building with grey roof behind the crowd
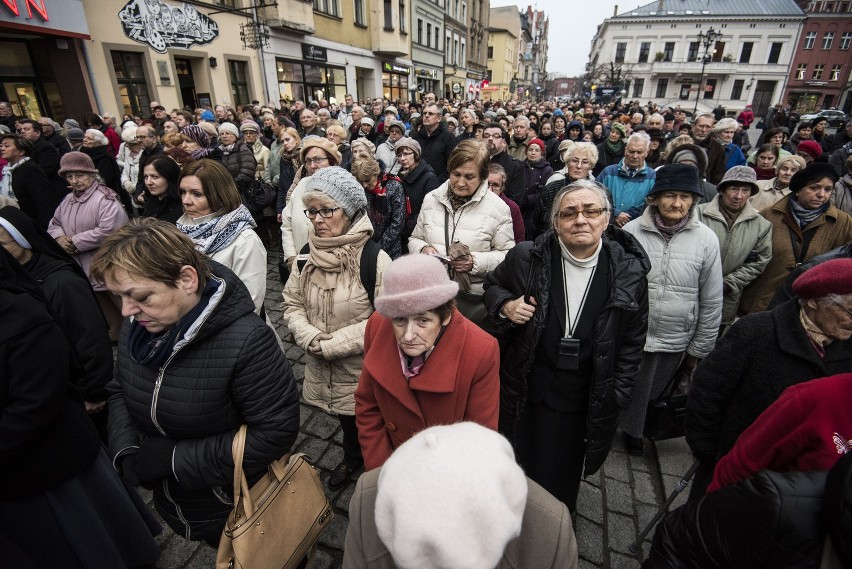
{"x": 658, "y": 49}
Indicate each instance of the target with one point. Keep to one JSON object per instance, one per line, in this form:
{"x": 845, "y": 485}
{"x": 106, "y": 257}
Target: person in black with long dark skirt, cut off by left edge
{"x": 61, "y": 503}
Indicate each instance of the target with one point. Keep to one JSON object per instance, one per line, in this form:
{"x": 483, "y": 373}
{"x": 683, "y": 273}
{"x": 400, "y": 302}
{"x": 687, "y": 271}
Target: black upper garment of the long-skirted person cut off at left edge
{"x": 45, "y": 435}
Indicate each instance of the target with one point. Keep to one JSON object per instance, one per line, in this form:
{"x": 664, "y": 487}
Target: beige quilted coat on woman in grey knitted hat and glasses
{"x": 331, "y": 380}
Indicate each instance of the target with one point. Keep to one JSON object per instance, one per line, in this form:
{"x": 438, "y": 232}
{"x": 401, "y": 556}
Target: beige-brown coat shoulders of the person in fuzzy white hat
{"x": 546, "y": 541}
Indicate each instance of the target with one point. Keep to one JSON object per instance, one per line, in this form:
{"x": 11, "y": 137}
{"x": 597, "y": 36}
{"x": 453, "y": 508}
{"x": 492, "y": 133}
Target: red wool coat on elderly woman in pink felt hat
{"x": 460, "y": 382}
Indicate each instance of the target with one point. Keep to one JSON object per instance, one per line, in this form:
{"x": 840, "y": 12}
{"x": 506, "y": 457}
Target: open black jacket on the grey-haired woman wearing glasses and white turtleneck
{"x": 619, "y": 333}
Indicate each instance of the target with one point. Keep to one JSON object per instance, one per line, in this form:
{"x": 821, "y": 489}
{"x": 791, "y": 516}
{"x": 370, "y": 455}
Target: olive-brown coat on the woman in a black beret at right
{"x": 830, "y": 230}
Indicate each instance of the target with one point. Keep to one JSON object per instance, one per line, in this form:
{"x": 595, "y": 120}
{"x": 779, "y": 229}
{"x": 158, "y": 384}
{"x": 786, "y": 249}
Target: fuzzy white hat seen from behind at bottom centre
{"x": 451, "y": 496}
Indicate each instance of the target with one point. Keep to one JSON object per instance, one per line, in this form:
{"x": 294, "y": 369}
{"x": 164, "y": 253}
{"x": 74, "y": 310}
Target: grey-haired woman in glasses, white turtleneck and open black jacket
{"x": 568, "y": 367}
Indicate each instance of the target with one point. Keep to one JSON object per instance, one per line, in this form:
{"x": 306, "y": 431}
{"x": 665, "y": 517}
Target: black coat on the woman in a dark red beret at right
{"x": 760, "y": 356}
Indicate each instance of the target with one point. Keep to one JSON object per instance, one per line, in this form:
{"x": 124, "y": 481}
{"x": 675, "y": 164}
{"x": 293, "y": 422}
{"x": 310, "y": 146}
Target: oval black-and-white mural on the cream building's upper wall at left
{"x": 163, "y": 25}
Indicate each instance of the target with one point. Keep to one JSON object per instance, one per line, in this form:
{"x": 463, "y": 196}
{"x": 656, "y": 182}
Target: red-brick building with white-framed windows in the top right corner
{"x": 820, "y": 74}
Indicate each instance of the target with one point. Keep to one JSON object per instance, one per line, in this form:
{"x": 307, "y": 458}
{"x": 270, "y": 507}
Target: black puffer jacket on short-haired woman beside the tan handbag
{"x": 229, "y": 372}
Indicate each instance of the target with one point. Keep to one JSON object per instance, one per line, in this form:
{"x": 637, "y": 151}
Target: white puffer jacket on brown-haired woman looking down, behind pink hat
{"x": 484, "y": 224}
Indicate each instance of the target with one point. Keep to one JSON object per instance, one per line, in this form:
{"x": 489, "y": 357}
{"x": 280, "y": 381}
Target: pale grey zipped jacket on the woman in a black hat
{"x": 684, "y": 286}
